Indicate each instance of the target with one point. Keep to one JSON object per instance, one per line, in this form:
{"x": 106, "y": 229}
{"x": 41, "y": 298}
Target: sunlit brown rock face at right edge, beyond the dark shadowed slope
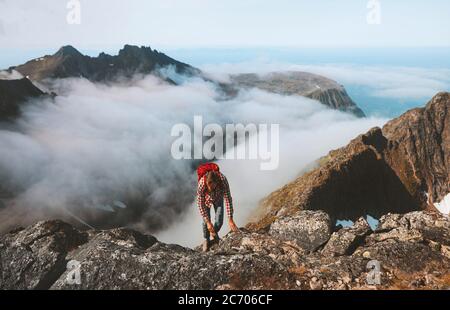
{"x": 420, "y": 149}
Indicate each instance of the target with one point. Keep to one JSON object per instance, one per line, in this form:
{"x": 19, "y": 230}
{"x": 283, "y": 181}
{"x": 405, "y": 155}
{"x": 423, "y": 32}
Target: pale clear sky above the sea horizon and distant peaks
{"x": 43, "y": 24}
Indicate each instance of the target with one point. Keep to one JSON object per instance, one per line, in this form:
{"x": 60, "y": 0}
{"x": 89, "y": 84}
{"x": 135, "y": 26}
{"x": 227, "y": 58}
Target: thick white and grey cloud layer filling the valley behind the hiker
{"x": 97, "y": 147}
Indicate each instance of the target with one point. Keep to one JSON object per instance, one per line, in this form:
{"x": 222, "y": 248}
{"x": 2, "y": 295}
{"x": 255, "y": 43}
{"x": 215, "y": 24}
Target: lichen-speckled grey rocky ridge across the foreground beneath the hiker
{"x": 413, "y": 251}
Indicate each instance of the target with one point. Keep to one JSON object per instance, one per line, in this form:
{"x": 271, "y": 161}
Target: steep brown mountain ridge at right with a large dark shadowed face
{"x": 401, "y": 168}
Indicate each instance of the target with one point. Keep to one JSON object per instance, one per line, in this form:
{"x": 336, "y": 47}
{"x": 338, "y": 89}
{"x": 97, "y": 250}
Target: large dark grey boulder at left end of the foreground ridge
{"x": 35, "y": 257}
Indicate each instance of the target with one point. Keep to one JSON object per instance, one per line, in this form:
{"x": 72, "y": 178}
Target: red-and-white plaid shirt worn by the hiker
{"x": 205, "y": 199}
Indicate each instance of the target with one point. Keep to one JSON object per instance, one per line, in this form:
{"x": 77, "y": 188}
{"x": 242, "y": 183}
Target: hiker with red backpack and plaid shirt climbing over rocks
{"x": 213, "y": 191}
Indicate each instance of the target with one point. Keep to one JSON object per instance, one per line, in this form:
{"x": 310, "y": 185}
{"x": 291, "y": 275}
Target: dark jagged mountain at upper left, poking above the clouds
{"x": 69, "y": 62}
